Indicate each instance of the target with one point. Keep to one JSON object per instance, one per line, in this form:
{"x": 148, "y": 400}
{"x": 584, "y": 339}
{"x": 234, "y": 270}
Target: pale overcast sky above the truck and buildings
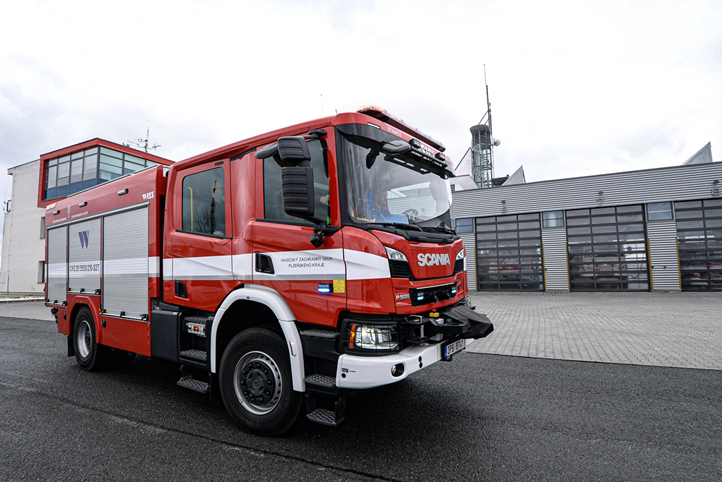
{"x": 577, "y": 88}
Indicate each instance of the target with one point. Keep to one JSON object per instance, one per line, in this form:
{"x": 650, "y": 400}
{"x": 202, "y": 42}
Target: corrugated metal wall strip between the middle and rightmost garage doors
{"x": 662, "y": 237}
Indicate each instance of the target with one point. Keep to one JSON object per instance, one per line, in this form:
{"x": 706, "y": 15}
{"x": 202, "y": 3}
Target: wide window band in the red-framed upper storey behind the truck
{"x": 83, "y": 169}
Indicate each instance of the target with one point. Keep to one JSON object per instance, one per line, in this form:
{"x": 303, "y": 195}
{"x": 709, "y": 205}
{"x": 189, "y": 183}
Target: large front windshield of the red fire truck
{"x": 386, "y": 192}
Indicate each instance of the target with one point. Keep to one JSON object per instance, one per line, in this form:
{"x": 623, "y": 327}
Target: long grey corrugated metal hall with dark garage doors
{"x": 647, "y": 230}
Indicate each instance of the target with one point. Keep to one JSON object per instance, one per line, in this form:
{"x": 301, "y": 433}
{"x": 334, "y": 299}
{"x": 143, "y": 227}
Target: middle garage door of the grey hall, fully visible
{"x": 607, "y": 249}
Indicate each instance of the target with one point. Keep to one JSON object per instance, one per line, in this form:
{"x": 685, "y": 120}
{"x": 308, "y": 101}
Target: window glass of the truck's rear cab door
{"x": 204, "y": 202}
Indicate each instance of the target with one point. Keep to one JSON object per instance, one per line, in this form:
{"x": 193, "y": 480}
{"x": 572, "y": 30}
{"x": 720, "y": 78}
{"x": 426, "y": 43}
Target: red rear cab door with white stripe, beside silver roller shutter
{"x": 199, "y": 248}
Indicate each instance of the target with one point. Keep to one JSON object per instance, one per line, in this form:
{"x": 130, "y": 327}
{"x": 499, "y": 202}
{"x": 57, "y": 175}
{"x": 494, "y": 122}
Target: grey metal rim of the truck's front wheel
{"x": 257, "y": 382}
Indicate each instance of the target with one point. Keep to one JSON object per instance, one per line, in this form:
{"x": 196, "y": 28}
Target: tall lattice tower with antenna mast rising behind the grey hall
{"x": 482, "y": 147}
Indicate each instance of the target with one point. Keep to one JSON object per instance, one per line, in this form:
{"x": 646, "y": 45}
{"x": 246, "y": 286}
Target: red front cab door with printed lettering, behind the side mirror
{"x": 311, "y": 280}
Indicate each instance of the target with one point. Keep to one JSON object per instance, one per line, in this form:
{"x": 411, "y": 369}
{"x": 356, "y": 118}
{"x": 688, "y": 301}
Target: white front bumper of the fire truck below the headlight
{"x": 355, "y": 371}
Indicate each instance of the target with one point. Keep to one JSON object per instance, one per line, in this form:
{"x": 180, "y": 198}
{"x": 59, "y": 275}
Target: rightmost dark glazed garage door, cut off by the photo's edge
{"x": 699, "y": 230}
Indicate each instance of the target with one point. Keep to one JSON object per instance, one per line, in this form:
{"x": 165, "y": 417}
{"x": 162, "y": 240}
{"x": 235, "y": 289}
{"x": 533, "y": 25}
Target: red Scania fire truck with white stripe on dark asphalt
{"x": 296, "y": 266}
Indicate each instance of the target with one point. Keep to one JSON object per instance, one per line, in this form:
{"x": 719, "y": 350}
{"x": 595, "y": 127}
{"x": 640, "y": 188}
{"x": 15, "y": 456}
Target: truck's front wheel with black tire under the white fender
{"x": 256, "y": 384}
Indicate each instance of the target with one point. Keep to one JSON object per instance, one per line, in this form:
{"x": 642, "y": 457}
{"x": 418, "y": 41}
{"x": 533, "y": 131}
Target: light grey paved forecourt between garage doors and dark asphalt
{"x": 659, "y": 329}
